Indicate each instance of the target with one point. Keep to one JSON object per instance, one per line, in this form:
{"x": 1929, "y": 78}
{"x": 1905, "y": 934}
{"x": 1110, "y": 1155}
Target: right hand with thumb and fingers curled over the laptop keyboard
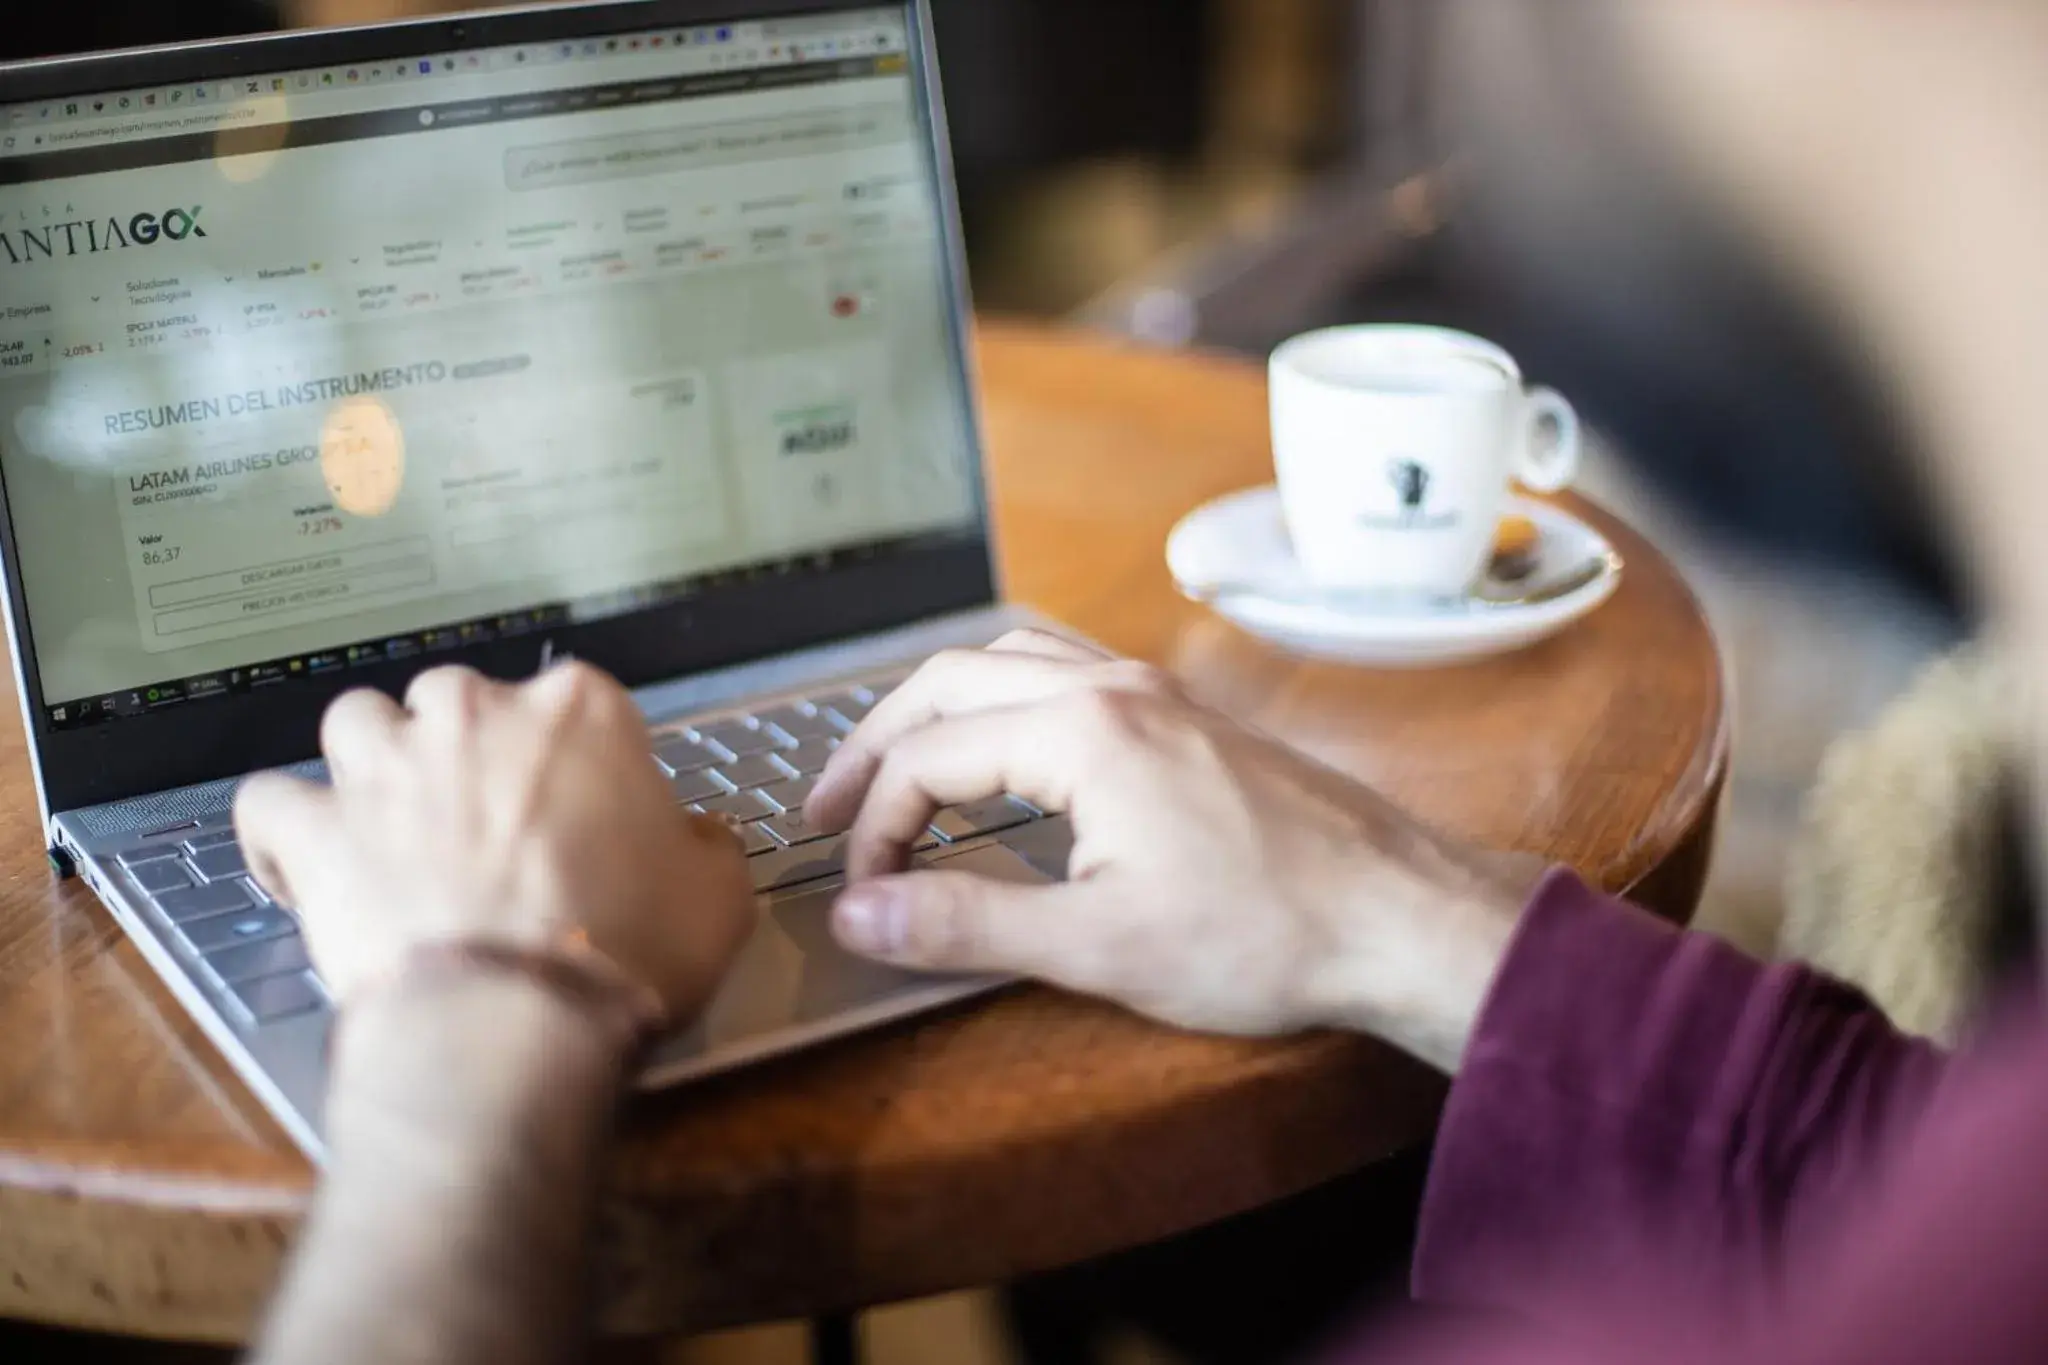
{"x": 1220, "y": 881}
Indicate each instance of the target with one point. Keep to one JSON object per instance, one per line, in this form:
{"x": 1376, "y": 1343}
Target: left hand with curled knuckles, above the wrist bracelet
{"x": 507, "y": 813}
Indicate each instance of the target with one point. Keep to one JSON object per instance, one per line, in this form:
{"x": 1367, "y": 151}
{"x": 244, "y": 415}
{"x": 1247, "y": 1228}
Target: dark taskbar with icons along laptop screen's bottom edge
{"x": 327, "y": 664}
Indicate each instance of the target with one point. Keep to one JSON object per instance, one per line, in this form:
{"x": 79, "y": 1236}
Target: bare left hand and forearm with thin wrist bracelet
{"x": 505, "y": 901}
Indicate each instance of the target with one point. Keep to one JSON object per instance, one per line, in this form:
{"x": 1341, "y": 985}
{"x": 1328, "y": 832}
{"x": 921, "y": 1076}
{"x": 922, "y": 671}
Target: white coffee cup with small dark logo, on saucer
{"x": 1398, "y": 447}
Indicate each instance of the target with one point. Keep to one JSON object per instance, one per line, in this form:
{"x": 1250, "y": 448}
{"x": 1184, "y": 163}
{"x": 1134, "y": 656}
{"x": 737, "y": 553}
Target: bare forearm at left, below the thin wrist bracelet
{"x": 466, "y": 1129}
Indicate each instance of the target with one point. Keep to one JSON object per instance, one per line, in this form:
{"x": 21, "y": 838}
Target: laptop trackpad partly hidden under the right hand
{"x": 794, "y": 975}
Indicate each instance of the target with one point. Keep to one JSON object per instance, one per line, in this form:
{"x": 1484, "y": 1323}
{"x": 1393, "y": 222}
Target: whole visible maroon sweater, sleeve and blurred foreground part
{"x": 1662, "y": 1151}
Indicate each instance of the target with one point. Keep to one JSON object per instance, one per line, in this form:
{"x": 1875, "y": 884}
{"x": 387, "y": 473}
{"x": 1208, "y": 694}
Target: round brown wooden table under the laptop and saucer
{"x": 144, "y": 1192}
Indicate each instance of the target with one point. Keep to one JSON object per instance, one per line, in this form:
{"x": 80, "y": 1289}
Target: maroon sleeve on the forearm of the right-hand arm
{"x": 1652, "y": 1108}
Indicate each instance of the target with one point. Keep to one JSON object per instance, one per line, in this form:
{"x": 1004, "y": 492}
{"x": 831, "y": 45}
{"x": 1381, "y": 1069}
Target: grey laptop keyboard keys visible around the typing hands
{"x": 753, "y": 770}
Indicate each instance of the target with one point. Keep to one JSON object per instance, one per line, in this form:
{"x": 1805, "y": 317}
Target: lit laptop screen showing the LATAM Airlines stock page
{"x": 321, "y": 369}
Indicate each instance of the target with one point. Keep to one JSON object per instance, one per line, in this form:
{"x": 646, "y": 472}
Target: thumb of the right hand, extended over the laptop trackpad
{"x": 955, "y": 922}
